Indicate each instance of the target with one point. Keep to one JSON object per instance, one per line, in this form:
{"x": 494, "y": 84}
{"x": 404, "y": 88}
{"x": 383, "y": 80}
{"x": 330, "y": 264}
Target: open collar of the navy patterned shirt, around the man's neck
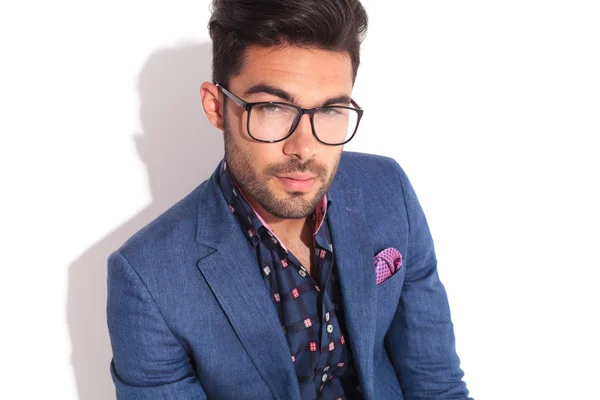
{"x": 250, "y": 220}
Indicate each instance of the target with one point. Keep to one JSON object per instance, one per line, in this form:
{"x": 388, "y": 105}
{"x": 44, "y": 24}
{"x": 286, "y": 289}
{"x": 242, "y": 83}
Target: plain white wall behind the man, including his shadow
{"x": 492, "y": 108}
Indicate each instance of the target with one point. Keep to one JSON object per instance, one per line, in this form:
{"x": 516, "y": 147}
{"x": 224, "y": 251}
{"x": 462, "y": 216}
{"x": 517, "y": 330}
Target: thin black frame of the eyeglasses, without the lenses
{"x": 301, "y": 111}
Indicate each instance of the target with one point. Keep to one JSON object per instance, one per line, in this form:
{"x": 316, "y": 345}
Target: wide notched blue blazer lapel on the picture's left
{"x": 231, "y": 271}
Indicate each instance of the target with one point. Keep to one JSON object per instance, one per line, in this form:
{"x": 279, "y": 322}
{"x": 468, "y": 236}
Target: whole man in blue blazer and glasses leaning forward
{"x": 296, "y": 271}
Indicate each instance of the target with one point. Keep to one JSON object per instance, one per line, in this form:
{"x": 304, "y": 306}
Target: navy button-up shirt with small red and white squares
{"x": 309, "y": 310}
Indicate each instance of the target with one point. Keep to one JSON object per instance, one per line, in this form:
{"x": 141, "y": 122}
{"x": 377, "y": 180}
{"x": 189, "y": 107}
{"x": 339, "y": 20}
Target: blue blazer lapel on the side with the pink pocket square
{"x": 353, "y": 253}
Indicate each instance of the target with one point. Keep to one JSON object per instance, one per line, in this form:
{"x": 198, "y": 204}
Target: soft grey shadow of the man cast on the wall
{"x": 180, "y": 149}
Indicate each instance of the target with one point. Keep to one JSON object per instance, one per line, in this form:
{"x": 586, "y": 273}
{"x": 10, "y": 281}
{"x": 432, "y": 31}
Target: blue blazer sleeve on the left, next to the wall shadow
{"x": 148, "y": 361}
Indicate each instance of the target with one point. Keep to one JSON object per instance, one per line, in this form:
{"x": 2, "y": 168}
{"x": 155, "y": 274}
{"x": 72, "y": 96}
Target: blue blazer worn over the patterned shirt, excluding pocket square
{"x": 189, "y": 316}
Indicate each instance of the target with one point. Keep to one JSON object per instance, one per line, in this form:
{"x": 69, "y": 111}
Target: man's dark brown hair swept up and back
{"x": 333, "y": 25}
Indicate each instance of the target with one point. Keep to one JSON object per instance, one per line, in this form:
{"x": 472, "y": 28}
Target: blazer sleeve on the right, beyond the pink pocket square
{"x": 420, "y": 341}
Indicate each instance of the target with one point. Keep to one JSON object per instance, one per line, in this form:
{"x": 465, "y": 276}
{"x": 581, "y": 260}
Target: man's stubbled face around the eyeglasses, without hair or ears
{"x": 288, "y": 178}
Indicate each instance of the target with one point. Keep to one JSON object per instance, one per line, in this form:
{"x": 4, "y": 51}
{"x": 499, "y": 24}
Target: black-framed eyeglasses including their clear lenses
{"x": 272, "y": 121}
